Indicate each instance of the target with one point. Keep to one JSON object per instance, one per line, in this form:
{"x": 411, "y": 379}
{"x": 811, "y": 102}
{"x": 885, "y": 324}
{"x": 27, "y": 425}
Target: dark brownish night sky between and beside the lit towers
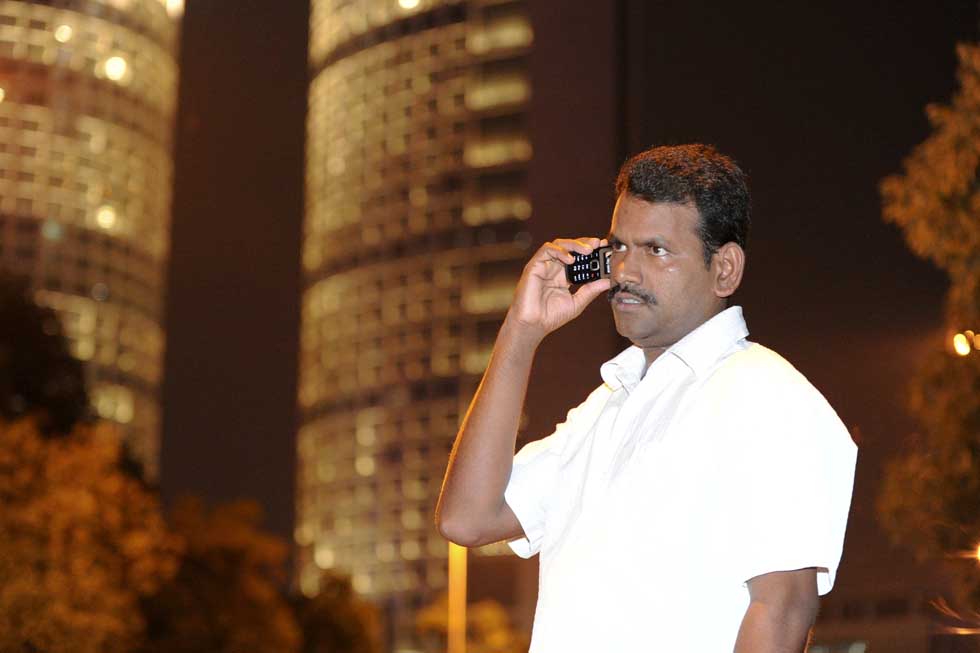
{"x": 817, "y": 102}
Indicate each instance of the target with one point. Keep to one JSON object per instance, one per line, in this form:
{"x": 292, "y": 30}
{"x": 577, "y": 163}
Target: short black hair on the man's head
{"x": 693, "y": 174}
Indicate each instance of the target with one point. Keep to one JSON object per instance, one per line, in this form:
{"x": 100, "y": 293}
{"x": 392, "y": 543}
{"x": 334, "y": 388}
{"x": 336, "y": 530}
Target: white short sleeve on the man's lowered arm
{"x": 794, "y": 488}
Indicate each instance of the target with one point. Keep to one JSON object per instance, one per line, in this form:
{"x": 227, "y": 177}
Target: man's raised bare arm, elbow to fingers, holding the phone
{"x": 471, "y": 509}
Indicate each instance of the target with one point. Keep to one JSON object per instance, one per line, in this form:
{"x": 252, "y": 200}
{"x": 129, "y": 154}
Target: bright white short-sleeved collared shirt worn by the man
{"x": 663, "y": 493}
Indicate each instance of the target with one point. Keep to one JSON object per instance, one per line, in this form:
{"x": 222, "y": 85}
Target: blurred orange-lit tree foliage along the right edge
{"x": 930, "y": 498}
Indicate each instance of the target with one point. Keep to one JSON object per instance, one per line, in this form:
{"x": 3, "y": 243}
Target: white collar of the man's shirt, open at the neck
{"x": 699, "y": 350}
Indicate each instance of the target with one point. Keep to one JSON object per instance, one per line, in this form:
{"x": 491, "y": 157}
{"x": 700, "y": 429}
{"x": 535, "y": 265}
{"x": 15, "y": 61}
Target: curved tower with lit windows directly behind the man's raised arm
{"x": 415, "y": 236}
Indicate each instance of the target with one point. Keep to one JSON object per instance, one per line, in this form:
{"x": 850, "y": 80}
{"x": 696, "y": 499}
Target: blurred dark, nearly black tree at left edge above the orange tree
{"x": 38, "y": 375}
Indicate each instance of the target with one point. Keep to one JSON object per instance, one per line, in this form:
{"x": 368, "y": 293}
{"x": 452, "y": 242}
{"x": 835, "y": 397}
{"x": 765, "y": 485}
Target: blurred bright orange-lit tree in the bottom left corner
{"x": 81, "y": 542}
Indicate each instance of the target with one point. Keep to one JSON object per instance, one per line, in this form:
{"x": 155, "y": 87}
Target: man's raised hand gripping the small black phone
{"x": 543, "y": 301}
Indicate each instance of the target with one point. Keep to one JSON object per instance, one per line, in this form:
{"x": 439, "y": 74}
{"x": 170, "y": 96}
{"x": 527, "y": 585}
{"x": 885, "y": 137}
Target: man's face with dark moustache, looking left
{"x": 662, "y": 289}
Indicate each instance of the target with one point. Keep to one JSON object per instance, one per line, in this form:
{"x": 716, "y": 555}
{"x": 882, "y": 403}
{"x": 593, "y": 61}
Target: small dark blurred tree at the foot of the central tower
{"x": 337, "y": 620}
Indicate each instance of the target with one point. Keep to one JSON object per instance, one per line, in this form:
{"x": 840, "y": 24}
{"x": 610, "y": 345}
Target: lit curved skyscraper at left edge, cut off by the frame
{"x": 87, "y": 99}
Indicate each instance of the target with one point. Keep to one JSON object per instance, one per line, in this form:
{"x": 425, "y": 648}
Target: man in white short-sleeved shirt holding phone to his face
{"x": 697, "y": 499}
